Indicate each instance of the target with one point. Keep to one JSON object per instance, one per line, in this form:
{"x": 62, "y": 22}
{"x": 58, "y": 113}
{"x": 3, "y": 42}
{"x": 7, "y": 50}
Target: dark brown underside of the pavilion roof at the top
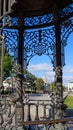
{"x": 38, "y": 7}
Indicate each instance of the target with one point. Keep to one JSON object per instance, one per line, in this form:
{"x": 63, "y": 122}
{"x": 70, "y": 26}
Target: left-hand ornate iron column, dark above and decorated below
{"x": 19, "y": 102}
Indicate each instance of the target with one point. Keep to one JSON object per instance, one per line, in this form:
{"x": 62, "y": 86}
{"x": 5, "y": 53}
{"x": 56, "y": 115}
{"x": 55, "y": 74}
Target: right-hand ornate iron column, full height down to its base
{"x": 58, "y": 70}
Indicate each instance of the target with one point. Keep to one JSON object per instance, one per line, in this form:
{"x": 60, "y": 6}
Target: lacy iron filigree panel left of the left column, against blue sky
{"x": 11, "y": 40}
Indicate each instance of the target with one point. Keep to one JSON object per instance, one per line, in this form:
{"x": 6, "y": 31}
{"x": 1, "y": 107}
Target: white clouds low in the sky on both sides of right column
{"x": 40, "y": 69}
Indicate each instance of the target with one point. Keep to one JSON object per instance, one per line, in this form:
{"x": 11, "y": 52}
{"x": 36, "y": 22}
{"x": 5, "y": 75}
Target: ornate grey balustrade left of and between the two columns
{"x": 33, "y": 111}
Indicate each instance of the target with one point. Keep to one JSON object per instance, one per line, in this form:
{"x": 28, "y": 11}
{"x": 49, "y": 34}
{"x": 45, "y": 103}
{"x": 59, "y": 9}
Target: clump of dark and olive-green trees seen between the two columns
{"x": 33, "y": 83}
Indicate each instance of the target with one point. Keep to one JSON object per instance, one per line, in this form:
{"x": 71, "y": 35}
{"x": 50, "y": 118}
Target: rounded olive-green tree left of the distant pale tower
{"x": 39, "y": 84}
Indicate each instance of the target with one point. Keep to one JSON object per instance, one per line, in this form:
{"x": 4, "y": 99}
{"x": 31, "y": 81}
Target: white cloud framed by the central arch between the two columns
{"x": 44, "y": 68}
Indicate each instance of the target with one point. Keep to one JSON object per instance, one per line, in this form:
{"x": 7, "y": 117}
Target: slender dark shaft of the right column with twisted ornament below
{"x": 58, "y": 61}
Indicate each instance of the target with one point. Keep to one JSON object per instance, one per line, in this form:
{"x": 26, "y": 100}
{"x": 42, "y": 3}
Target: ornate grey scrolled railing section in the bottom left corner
{"x": 6, "y": 114}
